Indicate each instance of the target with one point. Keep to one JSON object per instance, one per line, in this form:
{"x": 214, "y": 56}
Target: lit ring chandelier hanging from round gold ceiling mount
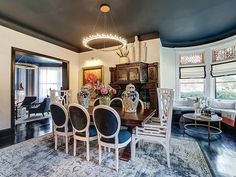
{"x": 104, "y": 8}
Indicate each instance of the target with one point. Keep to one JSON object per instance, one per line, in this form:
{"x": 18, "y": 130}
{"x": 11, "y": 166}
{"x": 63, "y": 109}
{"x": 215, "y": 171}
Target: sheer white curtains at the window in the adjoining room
{"x": 49, "y": 78}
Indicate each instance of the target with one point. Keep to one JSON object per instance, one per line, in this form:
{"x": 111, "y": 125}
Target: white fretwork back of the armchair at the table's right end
{"x": 165, "y": 102}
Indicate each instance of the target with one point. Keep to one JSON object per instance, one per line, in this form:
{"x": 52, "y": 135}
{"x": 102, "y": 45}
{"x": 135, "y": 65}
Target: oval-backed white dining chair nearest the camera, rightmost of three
{"x": 107, "y": 122}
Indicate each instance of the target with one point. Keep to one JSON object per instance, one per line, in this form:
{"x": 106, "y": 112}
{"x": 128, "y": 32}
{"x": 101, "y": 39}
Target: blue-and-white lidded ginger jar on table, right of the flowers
{"x": 130, "y": 98}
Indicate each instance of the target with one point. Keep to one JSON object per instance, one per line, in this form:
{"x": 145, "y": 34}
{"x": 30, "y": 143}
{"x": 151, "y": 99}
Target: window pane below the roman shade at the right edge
{"x": 226, "y": 87}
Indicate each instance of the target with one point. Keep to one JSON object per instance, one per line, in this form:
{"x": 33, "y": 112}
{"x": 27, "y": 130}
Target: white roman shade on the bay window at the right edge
{"x": 223, "y": 69}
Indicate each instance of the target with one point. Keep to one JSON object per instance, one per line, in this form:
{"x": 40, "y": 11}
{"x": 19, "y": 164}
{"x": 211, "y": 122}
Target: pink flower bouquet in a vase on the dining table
{"x": 104, "y": 93}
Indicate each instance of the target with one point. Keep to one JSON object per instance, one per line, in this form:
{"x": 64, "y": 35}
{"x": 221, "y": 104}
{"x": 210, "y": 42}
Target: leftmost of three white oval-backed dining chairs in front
{"x": 61, "y": 123}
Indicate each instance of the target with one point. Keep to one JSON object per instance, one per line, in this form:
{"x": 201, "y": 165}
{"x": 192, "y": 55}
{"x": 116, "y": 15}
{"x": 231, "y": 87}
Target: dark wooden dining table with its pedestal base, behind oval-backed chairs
{"x": 129, "y": 120}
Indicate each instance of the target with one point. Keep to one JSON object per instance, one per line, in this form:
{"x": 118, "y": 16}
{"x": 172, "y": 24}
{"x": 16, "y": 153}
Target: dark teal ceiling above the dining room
{"x": 179, "y": 23}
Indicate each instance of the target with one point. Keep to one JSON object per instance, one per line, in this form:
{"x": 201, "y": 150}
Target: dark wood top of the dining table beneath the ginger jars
{"x": 130, "y": 119}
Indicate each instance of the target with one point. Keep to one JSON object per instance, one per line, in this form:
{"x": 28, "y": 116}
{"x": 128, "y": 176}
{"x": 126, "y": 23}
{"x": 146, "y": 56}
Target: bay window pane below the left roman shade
{"x": 191, "y": 88}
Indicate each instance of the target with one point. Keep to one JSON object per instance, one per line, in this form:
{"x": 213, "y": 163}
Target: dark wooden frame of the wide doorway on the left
{"x": 65, "y": 76}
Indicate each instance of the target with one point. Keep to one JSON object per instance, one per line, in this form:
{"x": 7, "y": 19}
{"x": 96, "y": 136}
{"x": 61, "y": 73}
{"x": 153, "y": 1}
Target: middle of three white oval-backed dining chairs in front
{"x": 82, "y": 130}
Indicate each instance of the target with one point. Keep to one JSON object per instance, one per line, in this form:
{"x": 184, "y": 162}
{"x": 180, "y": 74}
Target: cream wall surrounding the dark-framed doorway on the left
{"x": 10, "y": 38}
